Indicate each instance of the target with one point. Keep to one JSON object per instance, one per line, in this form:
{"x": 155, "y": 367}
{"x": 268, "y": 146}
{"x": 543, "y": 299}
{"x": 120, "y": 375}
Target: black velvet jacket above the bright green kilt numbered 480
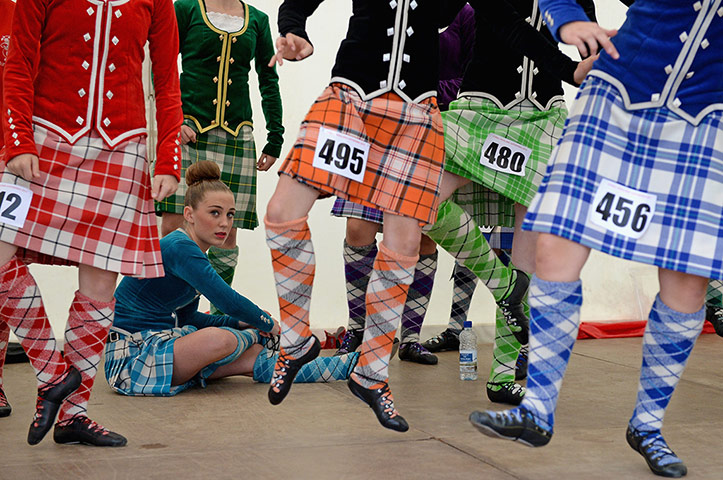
{"x": 515, "y": 56}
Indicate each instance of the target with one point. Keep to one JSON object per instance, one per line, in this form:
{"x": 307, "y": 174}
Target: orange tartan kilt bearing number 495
{"x": 406, "y": 153}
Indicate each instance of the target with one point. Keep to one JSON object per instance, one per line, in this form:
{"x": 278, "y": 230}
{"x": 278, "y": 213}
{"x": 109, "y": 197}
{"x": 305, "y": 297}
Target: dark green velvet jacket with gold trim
{"x": 215, "y": 77}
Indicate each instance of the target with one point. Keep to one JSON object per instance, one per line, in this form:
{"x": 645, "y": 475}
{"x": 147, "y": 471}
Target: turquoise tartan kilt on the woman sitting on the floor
{"x": 141, "y": 363}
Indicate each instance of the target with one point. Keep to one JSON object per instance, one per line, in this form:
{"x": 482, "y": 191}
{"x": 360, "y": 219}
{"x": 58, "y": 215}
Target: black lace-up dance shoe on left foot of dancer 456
{"x": 517, "y": 424}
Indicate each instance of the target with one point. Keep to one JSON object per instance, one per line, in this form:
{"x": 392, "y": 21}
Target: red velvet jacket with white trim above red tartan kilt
{"x": 89, "y": 56}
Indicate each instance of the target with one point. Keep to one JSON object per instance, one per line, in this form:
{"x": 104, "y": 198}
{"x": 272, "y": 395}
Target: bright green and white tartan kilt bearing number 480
{"x": 468, "y": 122}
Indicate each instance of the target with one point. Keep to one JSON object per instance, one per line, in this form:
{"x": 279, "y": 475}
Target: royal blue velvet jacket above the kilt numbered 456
{"x": 671, "y": 54}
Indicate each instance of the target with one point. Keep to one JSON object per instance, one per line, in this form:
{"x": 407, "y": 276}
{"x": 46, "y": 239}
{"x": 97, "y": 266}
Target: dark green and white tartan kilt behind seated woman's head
{"x": 237, "y": 159}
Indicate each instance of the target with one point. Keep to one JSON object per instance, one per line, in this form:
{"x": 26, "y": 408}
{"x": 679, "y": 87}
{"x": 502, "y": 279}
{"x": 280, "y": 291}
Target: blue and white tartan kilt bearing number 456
{"x": 651, "y": 150}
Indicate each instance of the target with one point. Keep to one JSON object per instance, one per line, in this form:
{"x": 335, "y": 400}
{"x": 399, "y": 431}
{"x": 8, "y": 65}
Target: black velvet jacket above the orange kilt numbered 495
{"x": 391, "y": 45}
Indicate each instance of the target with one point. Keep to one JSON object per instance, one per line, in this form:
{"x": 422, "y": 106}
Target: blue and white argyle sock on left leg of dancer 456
{"x": 554, "y": 322}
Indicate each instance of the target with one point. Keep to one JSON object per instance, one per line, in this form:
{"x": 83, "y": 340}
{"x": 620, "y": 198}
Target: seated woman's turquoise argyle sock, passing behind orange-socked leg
{"x": 319, "y": 370}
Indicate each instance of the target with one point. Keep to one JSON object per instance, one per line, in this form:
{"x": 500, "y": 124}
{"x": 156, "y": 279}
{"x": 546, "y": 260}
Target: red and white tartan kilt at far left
{"x": 92, "y": 205}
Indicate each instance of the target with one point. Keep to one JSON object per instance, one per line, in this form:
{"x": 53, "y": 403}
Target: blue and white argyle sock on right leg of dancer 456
{"x": 669, "y": 338}
